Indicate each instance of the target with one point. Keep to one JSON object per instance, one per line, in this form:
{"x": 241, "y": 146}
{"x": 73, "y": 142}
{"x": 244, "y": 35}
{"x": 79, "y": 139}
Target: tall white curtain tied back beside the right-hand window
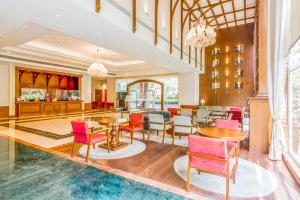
{"x": 278, "y": 39}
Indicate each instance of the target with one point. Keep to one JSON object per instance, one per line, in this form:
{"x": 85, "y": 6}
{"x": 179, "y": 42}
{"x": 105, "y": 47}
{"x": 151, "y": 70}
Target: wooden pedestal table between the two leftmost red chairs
{"x": 113, "y": 122}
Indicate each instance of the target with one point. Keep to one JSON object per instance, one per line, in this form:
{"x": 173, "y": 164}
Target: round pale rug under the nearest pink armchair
{"x": 252, "y": 181}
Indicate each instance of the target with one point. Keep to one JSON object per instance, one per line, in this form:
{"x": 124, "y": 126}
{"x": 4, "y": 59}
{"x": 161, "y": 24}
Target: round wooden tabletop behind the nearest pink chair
{"x": 223, "y": 133}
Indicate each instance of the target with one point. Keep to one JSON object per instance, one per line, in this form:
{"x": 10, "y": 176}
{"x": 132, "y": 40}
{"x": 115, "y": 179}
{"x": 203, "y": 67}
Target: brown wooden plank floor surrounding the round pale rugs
{"x": 156, "y": 162}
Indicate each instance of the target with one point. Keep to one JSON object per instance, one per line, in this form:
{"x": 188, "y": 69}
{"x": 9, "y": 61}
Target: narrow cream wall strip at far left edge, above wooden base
{"x": 4, "y": 84}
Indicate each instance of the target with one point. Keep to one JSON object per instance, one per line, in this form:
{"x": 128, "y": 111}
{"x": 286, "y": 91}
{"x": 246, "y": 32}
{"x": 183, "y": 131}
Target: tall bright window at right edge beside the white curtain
{"x": 294, "y": 102}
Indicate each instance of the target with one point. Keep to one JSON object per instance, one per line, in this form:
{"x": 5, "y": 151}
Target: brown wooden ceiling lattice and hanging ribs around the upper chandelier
{"x": 218, "y": 14}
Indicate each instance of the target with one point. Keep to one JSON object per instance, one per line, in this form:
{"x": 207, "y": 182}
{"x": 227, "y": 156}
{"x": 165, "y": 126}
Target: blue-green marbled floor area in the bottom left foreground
{"x": 27, "y": 173}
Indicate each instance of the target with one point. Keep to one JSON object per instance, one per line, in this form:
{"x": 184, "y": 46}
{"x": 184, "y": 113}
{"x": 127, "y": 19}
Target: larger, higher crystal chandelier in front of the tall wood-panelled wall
{"x": 201, "y": 35}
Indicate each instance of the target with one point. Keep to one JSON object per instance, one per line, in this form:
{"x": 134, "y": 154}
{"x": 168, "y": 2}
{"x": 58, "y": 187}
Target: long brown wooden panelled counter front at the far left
{"x": 46, "y": 108}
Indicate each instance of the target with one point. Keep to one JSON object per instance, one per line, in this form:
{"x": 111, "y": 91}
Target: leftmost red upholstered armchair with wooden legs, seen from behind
{"x": 85, "y": 135}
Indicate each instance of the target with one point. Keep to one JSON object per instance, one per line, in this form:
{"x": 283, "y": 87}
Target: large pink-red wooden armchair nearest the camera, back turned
{"x": 212, "y": 156}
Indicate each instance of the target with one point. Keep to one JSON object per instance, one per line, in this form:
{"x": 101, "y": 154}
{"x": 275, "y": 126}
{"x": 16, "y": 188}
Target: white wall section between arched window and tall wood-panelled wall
{"x": 189, "y": 88}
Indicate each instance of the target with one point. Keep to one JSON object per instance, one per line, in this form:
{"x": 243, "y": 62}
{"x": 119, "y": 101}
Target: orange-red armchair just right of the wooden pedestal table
{"x": 136, "y": 123}
